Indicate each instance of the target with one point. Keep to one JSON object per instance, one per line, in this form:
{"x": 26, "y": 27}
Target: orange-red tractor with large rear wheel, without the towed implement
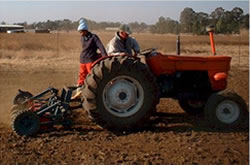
{"x": 122, "y": 91}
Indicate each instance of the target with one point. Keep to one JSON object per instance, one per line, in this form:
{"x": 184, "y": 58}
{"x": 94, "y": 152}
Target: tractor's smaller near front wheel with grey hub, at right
{"x": 226, "y": 110}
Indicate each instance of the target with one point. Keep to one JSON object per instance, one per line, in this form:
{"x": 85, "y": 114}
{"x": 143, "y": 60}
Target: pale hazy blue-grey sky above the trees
{"x": 110, "y": 11}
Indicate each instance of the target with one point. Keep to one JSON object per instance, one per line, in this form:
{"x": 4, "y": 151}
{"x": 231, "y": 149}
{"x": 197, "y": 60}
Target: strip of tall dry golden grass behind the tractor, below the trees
{"x": 61, "y": 50}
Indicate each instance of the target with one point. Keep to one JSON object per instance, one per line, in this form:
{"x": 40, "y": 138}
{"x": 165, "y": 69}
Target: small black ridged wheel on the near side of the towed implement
{"x": 25, "y": 123}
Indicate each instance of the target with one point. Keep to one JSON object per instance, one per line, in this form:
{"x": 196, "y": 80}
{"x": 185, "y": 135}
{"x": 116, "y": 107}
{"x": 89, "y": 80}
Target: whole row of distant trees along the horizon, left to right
{"x": 225, "y": 22}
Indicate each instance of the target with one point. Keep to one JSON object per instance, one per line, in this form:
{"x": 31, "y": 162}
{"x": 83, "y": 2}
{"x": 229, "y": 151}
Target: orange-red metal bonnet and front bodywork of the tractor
{"x": 216, "y": 66}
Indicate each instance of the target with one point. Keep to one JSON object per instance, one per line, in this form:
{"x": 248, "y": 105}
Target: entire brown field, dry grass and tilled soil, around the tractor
{"x": 36, "y": 61}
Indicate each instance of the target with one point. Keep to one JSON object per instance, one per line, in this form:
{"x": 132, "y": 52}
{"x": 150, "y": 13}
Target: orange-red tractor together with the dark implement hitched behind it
{"x": 122, "y": 92}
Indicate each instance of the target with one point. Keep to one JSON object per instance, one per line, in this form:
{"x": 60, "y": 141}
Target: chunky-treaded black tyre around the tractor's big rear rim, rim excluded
{"x": 115, "y": 65}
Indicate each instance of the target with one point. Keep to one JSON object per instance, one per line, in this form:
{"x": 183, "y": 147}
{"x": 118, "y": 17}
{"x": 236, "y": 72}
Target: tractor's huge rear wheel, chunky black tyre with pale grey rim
{"x": 120, "y": 93}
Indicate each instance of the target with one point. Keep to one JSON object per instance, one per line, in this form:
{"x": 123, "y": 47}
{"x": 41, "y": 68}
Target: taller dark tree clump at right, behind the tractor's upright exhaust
{"x": 225, "y": 22}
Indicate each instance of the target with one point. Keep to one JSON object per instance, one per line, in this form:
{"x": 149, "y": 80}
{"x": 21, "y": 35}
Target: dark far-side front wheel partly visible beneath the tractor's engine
{"x": 192, "y": 107}
